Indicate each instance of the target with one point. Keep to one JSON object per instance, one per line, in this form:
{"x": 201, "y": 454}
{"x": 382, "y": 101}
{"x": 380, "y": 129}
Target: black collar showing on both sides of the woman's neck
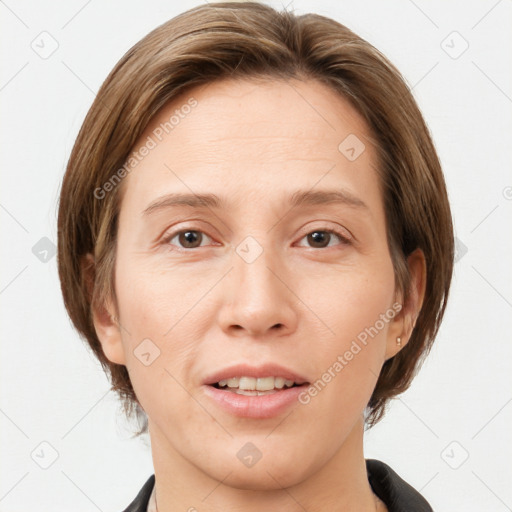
{"x": 396, "y": 493}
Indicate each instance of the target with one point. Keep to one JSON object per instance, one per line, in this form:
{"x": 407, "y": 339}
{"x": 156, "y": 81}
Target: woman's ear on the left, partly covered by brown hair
{"x": 104, "y": 317}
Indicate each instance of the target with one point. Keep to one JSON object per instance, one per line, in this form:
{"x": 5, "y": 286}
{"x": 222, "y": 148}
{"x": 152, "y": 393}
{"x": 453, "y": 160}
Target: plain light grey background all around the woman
{"x": 449, "y": 435}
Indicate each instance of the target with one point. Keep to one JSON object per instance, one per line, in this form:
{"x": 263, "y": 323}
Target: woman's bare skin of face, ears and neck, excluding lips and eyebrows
{"x": 205, "y": 307}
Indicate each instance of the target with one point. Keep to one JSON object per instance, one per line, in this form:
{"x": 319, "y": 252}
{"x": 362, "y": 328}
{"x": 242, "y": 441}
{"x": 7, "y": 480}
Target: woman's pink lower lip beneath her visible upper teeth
{"x": 259, "y": 407}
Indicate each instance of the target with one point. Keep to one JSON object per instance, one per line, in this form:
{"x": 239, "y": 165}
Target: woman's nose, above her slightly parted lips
{"x": 257, "y": 297}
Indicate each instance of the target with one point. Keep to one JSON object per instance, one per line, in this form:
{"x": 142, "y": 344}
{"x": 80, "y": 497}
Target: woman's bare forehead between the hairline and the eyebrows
{"x": 237, "y": 134}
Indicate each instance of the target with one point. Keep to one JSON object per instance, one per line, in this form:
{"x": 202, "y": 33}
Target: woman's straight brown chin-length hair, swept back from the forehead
{"x": 252, "y": 40}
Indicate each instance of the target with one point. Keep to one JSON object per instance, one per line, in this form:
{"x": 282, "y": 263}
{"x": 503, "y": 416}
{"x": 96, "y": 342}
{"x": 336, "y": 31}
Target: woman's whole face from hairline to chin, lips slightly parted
{"x": 283, "y": 270}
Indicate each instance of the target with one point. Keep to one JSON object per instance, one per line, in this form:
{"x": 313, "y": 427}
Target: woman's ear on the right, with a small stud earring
{"x": 403, "y": 323}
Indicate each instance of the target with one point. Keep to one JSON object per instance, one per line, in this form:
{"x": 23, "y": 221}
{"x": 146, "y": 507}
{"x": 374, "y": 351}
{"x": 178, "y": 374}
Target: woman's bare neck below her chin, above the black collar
{"x": 341, "y": 484}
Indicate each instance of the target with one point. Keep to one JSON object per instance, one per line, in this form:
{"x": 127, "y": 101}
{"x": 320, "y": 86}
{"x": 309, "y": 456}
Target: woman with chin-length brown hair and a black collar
{"x": 255, "y": 239}
